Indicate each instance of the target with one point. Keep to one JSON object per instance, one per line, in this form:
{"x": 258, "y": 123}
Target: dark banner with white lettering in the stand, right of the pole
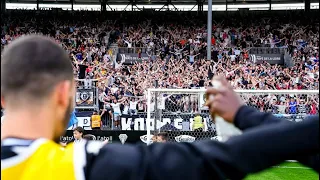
{"x": 269, "y": 58}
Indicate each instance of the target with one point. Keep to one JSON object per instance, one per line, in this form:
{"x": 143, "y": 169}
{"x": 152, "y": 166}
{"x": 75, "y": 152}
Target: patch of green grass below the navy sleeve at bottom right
{"x": 286, "y": 171}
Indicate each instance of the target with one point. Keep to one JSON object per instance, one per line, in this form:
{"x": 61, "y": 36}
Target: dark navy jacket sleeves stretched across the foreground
{"x": 266, "y": 141}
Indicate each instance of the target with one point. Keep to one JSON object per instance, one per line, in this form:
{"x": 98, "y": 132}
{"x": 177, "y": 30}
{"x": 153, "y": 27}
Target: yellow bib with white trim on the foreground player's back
{"x": 43, "y": 159}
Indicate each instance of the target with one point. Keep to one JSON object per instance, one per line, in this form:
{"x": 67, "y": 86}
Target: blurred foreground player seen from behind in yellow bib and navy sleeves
{"x": 37, "y": 76}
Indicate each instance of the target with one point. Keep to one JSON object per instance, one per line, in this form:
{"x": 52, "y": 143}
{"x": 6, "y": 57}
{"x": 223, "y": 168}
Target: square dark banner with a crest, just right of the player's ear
{"x": 85, "y": 98}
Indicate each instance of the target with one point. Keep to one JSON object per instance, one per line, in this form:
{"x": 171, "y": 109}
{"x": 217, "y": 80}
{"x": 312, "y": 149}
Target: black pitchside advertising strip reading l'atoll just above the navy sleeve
{"x": 140, "y": 137}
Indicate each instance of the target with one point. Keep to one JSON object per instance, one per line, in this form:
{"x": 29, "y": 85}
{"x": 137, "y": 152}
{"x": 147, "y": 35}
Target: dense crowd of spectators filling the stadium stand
{"x": 176, "y": 47}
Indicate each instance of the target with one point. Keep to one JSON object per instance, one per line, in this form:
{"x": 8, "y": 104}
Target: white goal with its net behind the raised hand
{"x": 179, "y": 111}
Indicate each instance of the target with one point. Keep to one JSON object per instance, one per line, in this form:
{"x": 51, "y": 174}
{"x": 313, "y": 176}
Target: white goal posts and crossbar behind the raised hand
{"x": 198, "y": 91}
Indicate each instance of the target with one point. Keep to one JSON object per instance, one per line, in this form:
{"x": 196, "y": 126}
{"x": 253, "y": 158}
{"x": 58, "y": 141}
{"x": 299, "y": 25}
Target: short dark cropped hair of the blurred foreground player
{"x": 32, "y": 66}
